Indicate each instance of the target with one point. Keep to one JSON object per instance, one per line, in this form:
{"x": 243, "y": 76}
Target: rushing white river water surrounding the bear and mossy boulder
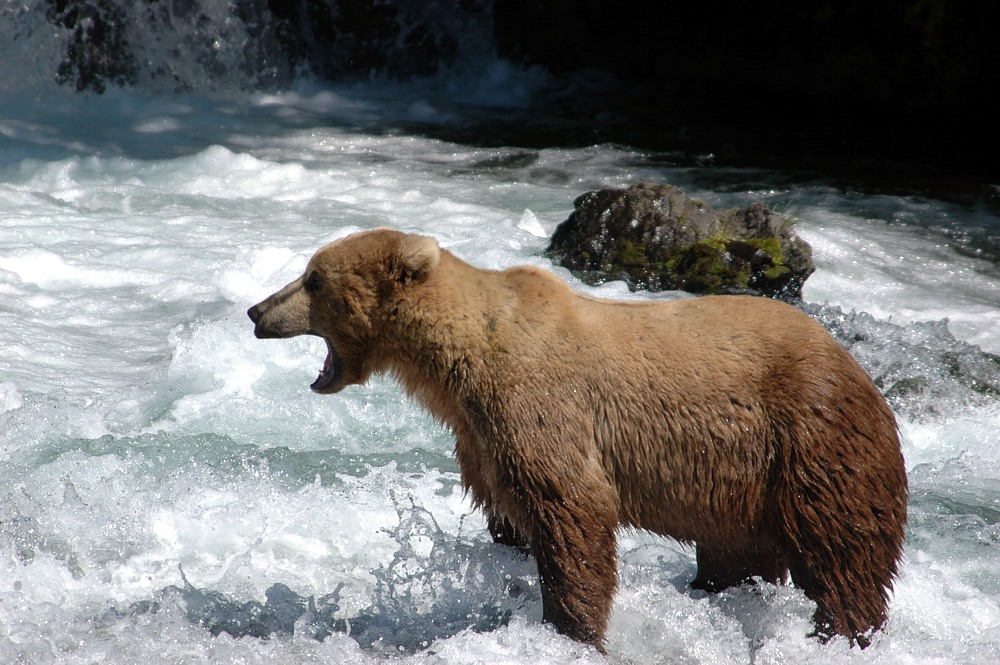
{"x": 171, "y": 491}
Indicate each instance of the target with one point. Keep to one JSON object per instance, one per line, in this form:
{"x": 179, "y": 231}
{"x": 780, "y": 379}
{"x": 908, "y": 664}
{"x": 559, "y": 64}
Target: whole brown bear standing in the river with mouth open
{"x": 731, "y": 422}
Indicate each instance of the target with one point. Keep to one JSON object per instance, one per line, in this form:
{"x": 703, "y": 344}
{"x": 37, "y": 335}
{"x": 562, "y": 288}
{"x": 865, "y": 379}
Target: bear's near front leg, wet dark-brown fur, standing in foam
{"x": 574, "y": 543}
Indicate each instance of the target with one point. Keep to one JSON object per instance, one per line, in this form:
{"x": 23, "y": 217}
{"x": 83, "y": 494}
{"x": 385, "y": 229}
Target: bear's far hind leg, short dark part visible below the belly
{"x": 723, "y": 567}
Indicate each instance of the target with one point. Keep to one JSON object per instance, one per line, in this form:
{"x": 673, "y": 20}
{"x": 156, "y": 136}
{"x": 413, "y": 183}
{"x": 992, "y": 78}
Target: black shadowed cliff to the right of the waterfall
{"x": 897, "y": 79}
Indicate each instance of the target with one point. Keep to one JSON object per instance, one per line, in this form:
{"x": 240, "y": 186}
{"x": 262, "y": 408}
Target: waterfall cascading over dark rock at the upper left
{"x": 185, "y": 45}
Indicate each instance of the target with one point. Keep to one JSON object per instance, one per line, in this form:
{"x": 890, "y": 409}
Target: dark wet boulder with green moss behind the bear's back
{"x": 655, "y": 237}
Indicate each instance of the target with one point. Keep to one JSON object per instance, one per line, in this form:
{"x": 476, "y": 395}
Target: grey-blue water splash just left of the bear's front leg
{"x": 436, "y": 586}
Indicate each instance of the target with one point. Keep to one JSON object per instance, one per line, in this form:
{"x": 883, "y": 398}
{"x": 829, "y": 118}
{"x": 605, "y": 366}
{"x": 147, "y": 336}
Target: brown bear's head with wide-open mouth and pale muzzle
{"x": 346, "y": 295}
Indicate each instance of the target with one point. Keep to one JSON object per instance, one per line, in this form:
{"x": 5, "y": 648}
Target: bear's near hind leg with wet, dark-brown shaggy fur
{"x": 844, "y": 520}
